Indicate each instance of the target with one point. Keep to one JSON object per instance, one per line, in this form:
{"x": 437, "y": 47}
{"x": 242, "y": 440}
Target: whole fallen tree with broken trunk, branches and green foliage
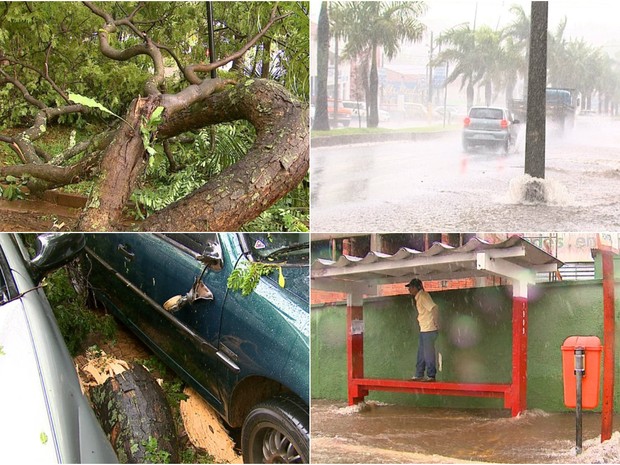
{"x": 73, "y": 62}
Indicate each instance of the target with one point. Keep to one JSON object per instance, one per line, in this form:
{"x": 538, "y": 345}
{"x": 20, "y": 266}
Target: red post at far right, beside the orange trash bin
{"x": 609, "y": 332}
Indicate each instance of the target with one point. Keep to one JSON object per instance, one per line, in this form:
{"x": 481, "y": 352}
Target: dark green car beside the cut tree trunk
{"x": 229, "y": 313}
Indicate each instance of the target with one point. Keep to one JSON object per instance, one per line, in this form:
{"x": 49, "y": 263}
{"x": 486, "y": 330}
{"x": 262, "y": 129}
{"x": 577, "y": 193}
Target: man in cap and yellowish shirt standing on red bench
{"x": 427, "y": 318}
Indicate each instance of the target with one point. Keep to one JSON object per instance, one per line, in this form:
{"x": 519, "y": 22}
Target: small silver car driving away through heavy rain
{"x": 490, "y": 127}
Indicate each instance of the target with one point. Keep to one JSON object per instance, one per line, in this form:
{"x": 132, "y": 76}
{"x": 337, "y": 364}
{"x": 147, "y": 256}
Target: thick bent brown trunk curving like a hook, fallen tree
{"x": 274, "y": 165}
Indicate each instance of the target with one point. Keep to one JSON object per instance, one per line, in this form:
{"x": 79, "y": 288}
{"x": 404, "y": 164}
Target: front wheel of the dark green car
{"x": 276, "y": 431}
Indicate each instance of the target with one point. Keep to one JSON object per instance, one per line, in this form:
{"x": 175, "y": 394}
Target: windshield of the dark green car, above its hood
{"x": 292, "y": 248}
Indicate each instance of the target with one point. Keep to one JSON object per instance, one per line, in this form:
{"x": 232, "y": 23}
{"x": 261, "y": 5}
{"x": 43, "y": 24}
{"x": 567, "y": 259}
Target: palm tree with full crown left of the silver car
{"x": 380, "y": 26}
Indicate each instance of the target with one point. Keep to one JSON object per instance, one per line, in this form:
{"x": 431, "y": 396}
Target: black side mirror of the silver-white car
{"x": 53, "y": 250}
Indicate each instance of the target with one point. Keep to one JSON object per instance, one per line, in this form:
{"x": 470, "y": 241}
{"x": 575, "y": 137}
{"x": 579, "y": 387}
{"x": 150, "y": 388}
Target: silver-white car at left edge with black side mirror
{"x": 45, "y": 416}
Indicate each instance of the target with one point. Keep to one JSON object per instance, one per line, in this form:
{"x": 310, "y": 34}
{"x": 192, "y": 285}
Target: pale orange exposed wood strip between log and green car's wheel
{"x": 205, "y": 430}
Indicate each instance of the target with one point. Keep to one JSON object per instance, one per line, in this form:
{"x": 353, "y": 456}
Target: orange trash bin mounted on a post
{"x": 592, "y": 370}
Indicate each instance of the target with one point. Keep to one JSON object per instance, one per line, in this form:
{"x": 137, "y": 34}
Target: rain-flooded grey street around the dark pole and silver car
{"x": 424, "y": 185}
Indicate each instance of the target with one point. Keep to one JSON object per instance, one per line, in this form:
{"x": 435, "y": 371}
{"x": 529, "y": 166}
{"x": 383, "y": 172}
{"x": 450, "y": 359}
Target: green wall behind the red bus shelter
{"x": 474, "y": 342}
